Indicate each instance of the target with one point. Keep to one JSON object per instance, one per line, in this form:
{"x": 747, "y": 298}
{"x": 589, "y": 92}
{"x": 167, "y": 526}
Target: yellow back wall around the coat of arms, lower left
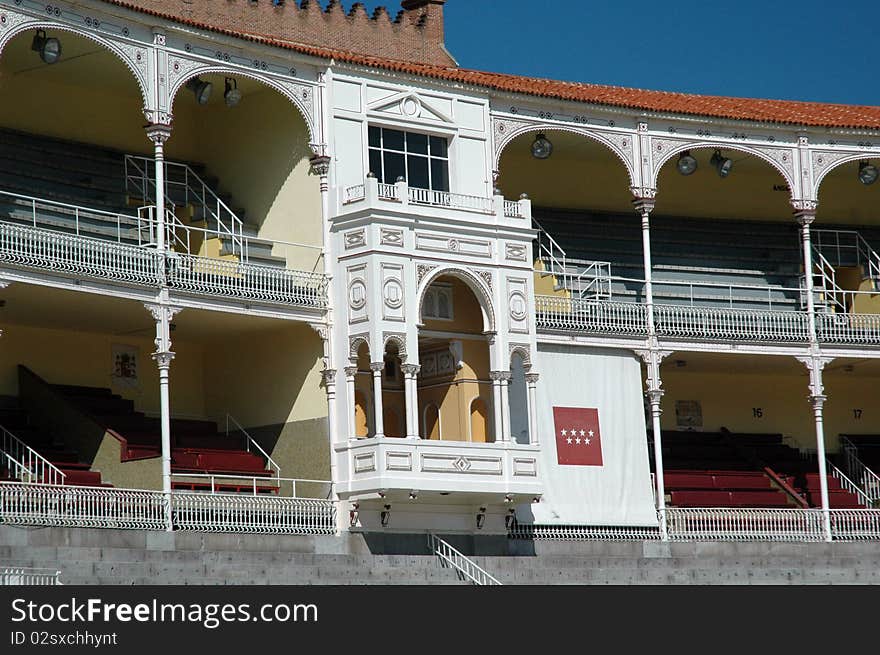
{"x": 85, "y": 358}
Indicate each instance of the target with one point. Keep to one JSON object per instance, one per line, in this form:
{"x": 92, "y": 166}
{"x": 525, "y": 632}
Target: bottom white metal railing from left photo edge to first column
{"x": 84, "y": 507}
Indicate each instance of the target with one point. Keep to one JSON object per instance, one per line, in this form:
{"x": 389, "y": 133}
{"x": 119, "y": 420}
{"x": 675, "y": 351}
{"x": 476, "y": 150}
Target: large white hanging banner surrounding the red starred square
{"x": 617, "y": 492}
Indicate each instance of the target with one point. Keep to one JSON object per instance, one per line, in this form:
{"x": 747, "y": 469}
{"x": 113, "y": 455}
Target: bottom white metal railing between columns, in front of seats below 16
{"x": 728, "y": 524}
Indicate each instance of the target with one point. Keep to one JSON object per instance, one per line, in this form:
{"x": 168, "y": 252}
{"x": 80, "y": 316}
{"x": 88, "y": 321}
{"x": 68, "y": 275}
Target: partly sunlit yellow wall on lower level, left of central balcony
{"x": 266, "y": 377}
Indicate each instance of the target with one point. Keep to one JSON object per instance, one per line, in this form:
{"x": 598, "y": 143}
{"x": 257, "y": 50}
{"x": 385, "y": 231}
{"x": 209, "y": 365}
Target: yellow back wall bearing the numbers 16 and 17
{"x": 728, "y": 400}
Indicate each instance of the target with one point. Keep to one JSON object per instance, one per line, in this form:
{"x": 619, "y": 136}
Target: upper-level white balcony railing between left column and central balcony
{"x": 210, "y": 276}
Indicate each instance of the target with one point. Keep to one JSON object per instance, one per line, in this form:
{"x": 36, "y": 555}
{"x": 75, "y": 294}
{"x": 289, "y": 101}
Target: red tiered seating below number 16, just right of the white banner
{"x": 711, "y": 470}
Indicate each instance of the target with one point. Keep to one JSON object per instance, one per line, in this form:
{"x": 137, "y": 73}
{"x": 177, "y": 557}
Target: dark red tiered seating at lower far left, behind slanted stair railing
{"x": 15, "y": 419}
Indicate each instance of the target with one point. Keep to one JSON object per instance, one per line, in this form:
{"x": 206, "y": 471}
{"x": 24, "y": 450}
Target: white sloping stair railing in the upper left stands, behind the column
{"x": 180, "y": 179}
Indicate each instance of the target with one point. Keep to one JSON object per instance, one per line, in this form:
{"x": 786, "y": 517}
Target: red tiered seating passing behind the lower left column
{"x": 197, "y": 447}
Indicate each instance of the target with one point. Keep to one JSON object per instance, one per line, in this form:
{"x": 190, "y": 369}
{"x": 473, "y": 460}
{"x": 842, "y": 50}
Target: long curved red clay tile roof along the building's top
{"x": 812, "y": 114}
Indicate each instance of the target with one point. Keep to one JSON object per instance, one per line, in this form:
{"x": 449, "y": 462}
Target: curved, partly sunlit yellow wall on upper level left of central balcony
{"x": 259, "y": 151}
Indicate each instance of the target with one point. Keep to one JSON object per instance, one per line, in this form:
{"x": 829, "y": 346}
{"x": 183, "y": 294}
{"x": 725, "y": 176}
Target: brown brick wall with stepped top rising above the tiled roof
{"x": 415, "y": 34}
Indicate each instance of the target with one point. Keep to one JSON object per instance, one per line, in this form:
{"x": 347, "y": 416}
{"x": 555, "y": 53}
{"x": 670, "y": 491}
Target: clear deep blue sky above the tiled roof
{"x": 805, "y": 50}
